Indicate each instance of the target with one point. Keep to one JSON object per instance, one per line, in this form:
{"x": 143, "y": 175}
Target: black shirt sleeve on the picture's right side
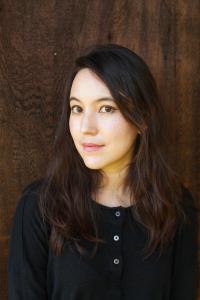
{"x": 185, "y": 266}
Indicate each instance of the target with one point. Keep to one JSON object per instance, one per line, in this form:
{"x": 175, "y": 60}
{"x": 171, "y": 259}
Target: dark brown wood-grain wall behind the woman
{"x": 38, "y": 42}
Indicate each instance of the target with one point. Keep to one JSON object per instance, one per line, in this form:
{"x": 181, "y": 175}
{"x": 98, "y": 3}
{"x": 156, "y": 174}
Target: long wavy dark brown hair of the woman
{"x": 155, "y": 187}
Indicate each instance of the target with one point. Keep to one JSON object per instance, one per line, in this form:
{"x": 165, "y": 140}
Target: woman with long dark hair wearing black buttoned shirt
{"x": 111, "y": 219}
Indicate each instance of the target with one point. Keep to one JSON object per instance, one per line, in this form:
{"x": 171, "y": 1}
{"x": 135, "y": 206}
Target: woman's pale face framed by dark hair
{"x": 99, "y": 122}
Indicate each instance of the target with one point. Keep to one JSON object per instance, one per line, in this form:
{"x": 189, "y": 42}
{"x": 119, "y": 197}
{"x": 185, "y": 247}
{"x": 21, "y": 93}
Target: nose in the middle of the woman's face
{"x": 88, "y": 124}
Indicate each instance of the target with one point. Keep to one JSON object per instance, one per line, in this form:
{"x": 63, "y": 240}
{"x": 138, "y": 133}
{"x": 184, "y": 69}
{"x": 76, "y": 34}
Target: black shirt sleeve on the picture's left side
{"x": 28, "y": 250}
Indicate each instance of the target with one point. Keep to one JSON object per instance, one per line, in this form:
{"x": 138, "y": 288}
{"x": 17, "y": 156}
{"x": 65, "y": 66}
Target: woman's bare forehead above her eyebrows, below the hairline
{"x": 87, "y": 85}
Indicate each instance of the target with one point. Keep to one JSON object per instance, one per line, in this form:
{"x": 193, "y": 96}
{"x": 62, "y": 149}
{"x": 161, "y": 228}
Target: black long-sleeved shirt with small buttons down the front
{"x": 117, "y": 271}
